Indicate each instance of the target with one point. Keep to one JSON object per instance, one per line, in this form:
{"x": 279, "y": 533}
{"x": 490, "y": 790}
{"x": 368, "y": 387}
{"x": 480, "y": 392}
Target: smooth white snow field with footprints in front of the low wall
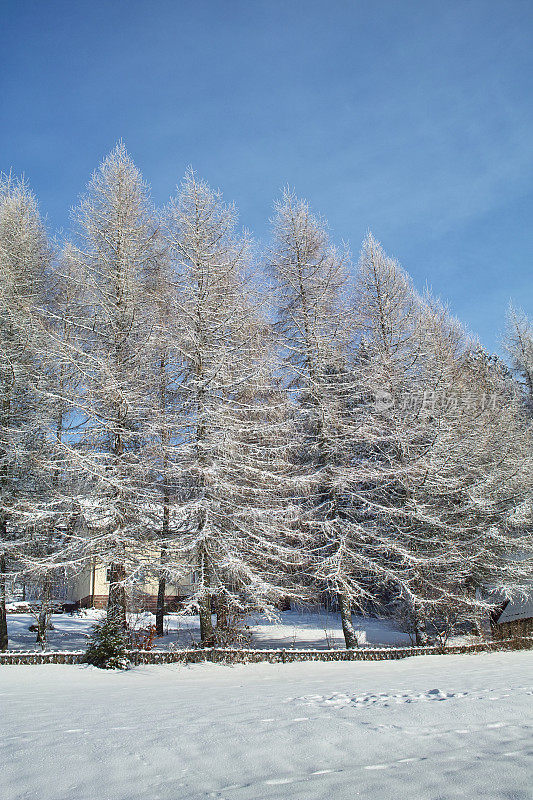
{"x": 427, "y": 728}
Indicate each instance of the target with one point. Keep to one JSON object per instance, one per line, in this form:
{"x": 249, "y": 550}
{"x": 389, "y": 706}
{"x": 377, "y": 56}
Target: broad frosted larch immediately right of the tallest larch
{"x": 228, "y": 517}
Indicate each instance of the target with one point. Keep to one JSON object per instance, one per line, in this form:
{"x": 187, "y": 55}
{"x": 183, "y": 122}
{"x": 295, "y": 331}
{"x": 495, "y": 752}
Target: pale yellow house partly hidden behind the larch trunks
{"x": 90, "y": 589}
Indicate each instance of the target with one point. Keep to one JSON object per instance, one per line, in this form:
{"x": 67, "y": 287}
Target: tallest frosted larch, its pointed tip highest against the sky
{"x": 118, "y": 251}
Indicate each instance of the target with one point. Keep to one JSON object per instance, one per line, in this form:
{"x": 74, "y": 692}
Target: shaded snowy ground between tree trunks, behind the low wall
{"x": 292, "y": 629}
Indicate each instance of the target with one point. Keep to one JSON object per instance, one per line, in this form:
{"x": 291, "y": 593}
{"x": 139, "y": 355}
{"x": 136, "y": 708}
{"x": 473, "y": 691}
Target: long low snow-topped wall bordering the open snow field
{"x": 228, "y": 655}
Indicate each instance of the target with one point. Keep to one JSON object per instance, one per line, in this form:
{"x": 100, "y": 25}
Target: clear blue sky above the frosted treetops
{"x": 413, "y": 119}
